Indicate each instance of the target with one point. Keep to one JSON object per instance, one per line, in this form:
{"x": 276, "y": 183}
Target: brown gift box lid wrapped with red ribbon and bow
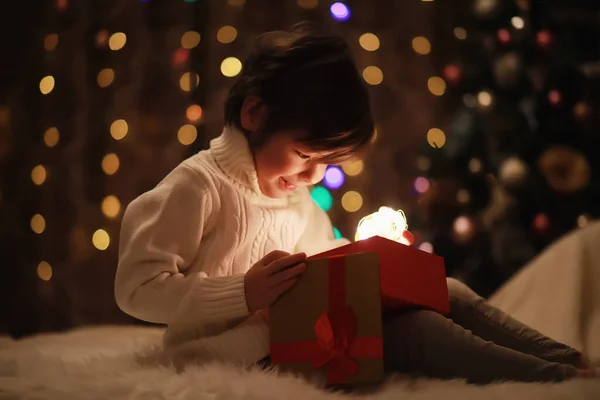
{"x": 328, "y": 325}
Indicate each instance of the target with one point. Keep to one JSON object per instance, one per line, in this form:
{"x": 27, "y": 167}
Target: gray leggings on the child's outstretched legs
{"x": 477, "y": 342}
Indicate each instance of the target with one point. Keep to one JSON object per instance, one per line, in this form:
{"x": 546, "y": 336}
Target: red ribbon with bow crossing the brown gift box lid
{"x": 336, "y": 345}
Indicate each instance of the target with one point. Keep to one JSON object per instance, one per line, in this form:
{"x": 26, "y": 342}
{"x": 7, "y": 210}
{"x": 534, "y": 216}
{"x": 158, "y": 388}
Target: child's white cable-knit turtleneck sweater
{"x": 186, "y": 245}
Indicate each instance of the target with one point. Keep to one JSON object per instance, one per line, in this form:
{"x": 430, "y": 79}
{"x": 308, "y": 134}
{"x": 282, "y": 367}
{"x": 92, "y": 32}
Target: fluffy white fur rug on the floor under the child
{"x": 99, "y": 363}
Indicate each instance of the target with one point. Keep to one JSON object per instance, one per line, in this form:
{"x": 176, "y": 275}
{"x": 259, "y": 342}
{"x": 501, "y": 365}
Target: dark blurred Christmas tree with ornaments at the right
{"x": 512, "y": 167}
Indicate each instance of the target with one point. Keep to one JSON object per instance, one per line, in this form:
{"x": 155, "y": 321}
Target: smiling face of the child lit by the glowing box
{"x": 283, "y": 164}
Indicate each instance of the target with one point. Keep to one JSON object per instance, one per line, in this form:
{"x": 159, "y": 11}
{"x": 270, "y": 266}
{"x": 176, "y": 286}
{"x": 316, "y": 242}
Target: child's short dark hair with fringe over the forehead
{"x": 308, "y": 81}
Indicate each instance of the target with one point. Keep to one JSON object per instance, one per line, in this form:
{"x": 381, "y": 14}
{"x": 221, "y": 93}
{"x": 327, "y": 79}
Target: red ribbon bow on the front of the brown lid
{"x": 335, "y": 332}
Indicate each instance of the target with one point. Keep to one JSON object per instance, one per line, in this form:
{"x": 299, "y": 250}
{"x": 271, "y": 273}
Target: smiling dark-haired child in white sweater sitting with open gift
{"x": 209, "y": 248}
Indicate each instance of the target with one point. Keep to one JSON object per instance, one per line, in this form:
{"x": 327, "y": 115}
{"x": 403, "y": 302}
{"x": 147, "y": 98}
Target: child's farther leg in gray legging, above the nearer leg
{"x": 472, "y": 312}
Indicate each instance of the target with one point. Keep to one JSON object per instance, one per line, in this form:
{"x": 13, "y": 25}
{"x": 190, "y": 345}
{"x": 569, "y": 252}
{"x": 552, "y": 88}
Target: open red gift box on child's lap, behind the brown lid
{"x": 410, "y": 278}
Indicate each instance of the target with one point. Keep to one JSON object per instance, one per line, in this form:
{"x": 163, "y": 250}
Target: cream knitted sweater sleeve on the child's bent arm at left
{"x": 160, "y": 236}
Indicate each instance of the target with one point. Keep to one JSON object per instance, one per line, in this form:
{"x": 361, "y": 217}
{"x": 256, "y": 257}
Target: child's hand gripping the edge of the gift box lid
{"x": 270, "y": 277}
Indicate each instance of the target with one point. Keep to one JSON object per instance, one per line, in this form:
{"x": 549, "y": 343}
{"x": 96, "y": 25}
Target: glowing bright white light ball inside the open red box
{"x": 386, "y": 222}
